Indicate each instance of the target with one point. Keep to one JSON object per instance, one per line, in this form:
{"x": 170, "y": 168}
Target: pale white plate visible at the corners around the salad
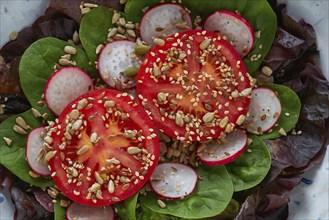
{"x": 308, "y": 201}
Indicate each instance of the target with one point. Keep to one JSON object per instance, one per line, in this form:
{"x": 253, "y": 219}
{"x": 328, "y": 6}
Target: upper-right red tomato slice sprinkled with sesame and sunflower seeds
{"x": 195, "y": 86}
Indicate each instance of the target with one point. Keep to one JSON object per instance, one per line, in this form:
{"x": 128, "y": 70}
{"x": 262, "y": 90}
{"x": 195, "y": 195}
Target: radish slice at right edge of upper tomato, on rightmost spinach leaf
{"x": 264, "y": 111}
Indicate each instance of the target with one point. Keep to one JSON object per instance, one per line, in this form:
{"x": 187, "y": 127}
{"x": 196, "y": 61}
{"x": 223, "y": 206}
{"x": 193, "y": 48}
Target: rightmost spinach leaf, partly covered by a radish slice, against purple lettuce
{"x": 291, "y": 104}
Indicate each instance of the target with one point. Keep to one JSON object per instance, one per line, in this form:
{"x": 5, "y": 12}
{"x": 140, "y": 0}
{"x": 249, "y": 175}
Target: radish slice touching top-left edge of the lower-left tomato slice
{"x": 64, "y": 86}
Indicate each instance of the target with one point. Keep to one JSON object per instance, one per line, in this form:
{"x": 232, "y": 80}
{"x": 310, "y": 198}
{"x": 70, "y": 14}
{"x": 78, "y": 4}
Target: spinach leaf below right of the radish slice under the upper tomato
{"x": 251, "y": 167}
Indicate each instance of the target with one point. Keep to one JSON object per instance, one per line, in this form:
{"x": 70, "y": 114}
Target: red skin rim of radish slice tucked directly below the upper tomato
{"x": 231, "y": 157}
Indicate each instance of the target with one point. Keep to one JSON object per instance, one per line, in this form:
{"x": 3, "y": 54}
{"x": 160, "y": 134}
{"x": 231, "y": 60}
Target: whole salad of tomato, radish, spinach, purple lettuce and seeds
{"x": 195, "y": 121}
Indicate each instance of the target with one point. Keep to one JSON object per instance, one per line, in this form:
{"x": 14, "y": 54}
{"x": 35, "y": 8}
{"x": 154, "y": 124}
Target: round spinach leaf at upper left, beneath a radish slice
{"x": 36, "y": 66}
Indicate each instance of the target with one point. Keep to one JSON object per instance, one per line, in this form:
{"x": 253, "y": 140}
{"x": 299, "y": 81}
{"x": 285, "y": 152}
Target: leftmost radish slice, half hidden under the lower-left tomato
{"x": 34, "y": 144}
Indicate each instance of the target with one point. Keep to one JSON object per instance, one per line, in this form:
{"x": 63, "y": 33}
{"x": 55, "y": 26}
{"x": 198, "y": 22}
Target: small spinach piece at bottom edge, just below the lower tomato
{"x": 127, "y": 208}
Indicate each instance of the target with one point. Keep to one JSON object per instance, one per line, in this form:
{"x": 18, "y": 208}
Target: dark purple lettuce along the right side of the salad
{"x": 293, "y": 59}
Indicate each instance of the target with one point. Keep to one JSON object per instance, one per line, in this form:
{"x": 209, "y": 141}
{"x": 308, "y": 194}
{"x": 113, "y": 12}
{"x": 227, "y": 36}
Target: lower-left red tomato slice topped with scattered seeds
{"x": 104, "y": 148}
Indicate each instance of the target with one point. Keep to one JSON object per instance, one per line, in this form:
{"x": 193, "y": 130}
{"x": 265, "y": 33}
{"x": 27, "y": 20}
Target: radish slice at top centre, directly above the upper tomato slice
{"x": 163, "y": 20}
